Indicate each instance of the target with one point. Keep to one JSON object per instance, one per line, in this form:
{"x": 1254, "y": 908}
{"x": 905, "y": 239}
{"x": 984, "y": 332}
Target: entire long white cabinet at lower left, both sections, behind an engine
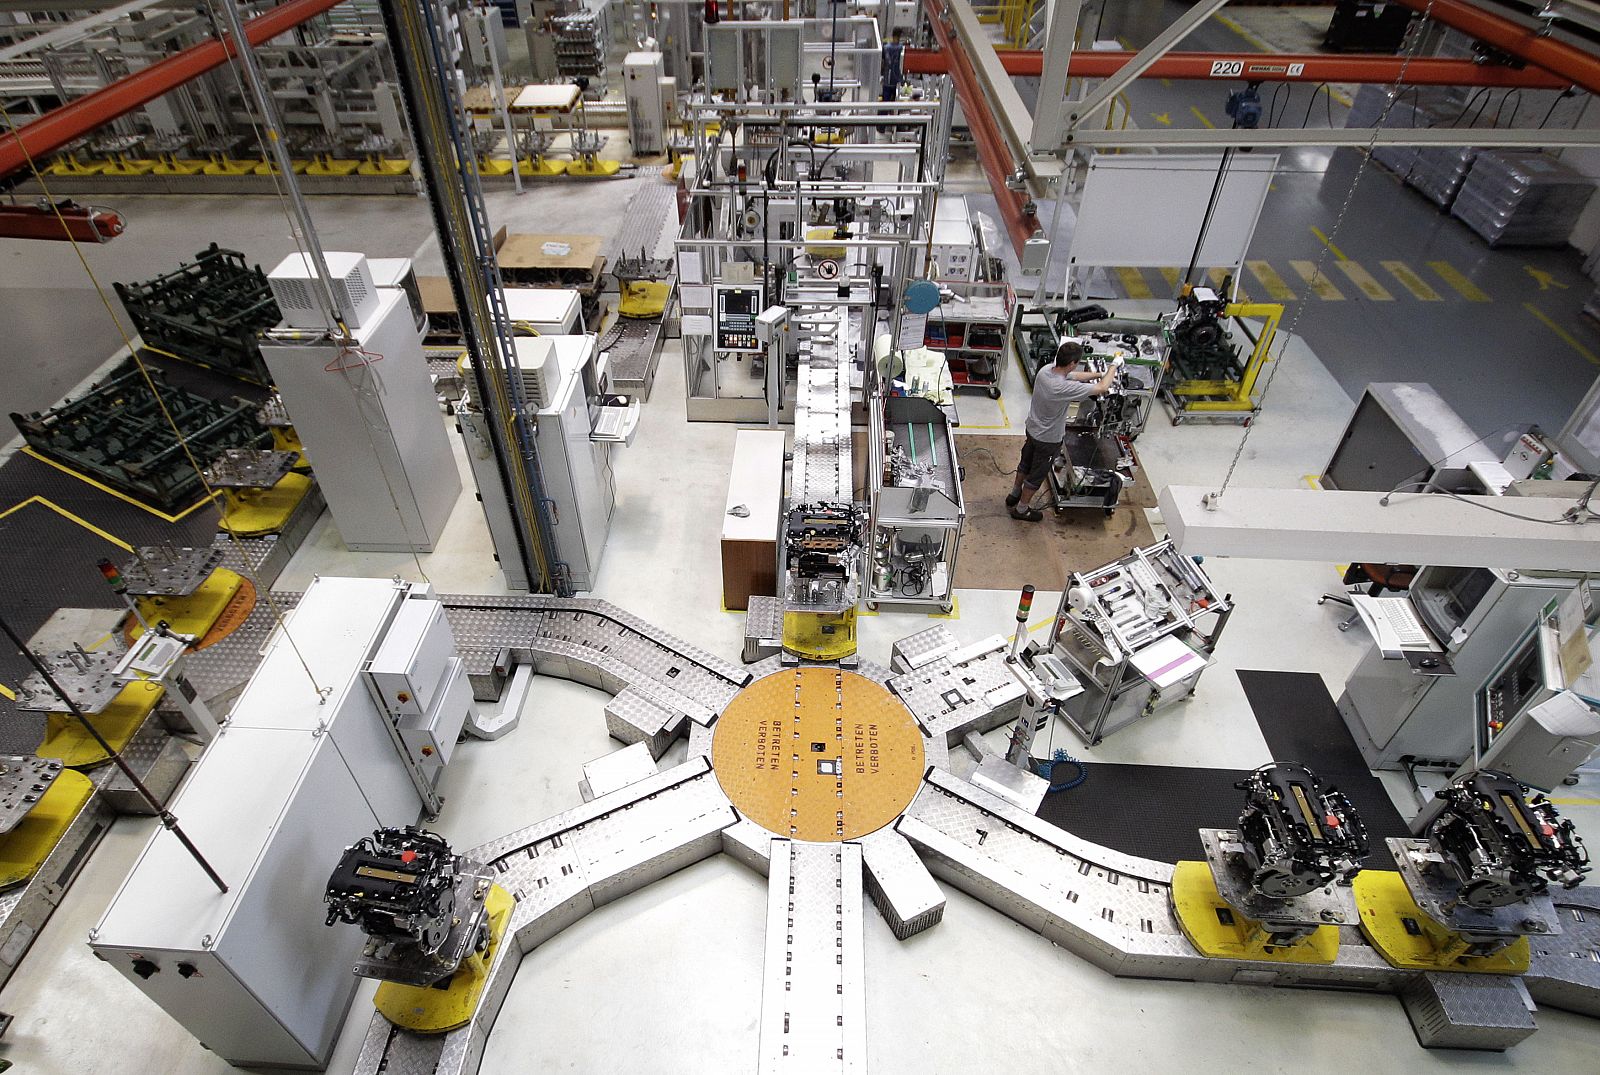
{"x": 294, "y": 778}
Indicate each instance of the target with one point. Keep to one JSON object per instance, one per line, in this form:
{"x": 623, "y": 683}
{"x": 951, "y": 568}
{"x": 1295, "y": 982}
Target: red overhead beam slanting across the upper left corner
{"x": 81, "y": 116}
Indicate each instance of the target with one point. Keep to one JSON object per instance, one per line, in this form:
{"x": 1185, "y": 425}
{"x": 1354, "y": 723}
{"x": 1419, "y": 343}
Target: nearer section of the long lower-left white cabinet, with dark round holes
{"x": 254, "y": 973}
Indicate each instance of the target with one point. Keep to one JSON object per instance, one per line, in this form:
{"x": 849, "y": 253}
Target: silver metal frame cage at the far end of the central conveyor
{"x": 740, "y": 218}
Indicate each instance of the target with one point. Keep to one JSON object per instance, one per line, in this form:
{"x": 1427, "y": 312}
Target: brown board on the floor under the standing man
{"x": 1001, "y": 553}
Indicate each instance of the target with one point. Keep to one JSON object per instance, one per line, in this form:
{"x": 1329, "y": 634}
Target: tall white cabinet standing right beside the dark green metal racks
{"x": 372, "y": 430}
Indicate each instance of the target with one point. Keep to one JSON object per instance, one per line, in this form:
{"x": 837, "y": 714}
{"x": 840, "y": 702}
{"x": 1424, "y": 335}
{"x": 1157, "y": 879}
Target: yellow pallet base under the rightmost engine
{"x": 1414, "y": 941}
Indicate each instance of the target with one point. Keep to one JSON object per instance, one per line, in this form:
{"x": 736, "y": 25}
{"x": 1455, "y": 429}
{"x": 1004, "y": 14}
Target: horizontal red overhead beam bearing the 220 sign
{"x": 1271, "y": 68}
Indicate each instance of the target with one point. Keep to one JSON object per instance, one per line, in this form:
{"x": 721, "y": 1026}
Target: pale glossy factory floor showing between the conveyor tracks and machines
{"x": 668, "y": 980}
